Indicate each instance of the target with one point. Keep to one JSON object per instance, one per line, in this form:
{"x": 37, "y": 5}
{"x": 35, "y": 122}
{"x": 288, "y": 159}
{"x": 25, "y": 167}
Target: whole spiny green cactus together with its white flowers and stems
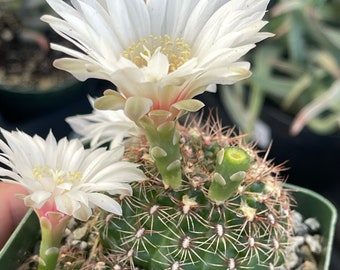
{"x": 151, "y": 191}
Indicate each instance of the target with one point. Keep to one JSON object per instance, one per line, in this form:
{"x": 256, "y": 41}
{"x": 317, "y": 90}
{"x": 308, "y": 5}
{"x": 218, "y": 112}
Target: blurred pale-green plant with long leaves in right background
{"x": 298, "y": 69}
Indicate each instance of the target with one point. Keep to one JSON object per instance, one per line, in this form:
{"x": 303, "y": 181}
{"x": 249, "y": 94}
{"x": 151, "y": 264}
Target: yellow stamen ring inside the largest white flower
{"x": 177, "y": 51}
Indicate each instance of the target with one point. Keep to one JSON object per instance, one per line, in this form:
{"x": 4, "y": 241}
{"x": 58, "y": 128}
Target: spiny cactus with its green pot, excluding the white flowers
{"x": 211, "y": 222}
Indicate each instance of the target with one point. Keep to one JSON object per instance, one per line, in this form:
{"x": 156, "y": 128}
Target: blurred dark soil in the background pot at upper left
{"x": 25, "y": 57}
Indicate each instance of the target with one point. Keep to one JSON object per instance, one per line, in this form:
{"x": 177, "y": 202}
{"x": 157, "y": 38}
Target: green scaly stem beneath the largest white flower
{"x": 165, "y": 150}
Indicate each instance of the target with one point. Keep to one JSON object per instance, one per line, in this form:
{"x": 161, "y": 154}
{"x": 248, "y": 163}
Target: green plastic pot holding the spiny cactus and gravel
{"x": 310, "y": 204}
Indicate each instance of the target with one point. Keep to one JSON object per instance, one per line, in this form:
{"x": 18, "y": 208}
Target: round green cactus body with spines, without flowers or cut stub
{"x": 186, "y": 228}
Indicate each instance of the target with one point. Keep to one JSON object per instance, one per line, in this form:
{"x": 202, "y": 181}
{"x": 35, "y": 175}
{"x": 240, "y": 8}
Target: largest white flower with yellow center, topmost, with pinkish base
{"x": 159, "y": 53}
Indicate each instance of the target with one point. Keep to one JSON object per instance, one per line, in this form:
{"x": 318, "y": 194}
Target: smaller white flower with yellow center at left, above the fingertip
{"x": 64, "y": 177}
